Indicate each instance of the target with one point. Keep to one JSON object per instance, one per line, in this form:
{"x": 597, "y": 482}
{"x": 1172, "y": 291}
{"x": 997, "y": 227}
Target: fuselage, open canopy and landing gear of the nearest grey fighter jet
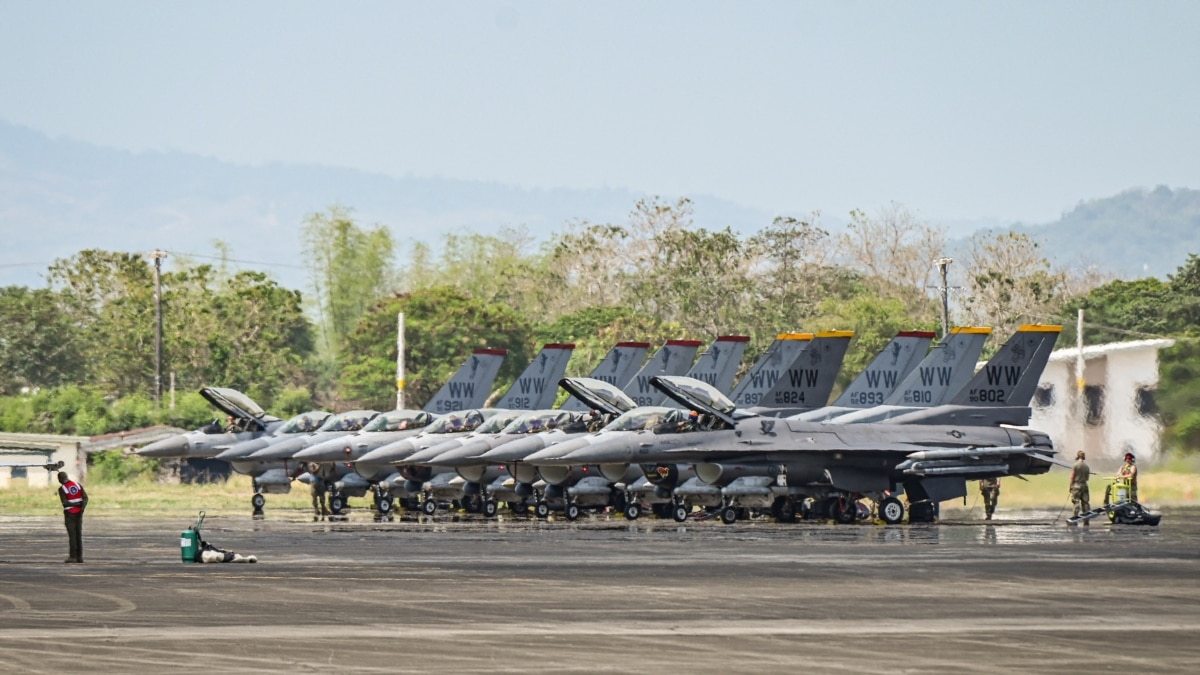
{"x": 832, "y": 465}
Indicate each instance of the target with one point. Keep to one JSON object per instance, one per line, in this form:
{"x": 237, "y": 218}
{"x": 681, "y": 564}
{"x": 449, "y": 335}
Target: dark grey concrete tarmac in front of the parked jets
{"x": 1027, "y": 594}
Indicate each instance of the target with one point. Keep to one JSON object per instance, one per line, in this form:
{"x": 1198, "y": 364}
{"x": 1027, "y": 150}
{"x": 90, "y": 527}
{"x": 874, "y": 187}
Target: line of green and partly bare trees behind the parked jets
{"x": 80, "y": 355}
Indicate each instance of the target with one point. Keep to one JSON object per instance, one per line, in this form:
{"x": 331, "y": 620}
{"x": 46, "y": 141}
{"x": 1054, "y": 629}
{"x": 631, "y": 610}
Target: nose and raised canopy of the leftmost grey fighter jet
{"x": 247, "y": 422}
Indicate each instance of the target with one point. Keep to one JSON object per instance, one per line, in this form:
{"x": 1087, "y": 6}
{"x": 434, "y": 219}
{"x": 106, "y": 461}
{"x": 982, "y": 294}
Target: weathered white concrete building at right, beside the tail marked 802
{"x": 1112, "y": 411}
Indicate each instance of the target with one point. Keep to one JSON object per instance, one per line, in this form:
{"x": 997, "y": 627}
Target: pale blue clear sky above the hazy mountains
{"x": 958, "y": 110}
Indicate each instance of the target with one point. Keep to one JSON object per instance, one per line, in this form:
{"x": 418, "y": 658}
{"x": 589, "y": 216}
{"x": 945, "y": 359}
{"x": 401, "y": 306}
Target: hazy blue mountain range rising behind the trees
{"x": 58, "y": 198}
